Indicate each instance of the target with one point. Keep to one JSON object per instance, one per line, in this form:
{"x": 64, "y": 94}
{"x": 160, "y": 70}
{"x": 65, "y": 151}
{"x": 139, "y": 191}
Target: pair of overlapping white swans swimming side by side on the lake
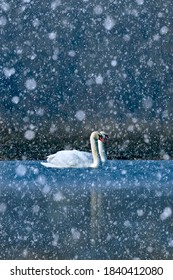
{"x": 80, "y": 159}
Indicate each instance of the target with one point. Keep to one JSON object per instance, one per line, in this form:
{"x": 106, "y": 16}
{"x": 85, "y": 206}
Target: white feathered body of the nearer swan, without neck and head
{"x": 72, "y": 158}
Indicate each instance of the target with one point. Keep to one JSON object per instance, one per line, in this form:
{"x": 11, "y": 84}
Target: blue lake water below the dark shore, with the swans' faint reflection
{"x": 124, "y": 211}
